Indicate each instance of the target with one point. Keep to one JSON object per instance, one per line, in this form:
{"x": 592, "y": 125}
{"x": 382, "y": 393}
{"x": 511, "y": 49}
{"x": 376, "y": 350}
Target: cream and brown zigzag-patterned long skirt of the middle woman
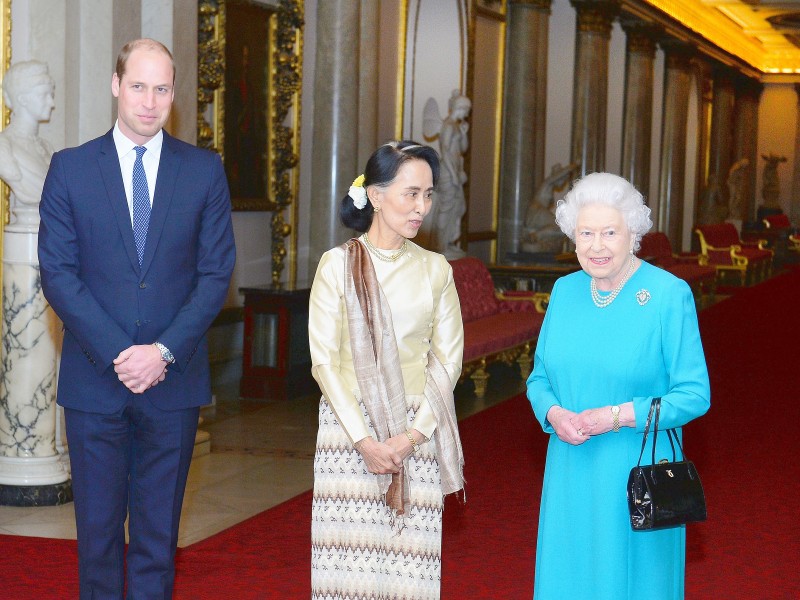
{"x": 356, "y": 554}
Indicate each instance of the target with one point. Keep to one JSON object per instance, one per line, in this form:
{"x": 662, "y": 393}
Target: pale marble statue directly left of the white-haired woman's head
{"x": 540, "y": 232}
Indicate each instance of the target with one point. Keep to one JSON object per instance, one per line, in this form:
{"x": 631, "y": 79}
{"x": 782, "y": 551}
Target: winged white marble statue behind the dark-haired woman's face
{"x": 450, "y": 204}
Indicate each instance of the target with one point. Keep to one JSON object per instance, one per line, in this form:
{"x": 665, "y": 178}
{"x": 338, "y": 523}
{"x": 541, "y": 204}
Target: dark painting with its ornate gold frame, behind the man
{"x": 249, "y": 78}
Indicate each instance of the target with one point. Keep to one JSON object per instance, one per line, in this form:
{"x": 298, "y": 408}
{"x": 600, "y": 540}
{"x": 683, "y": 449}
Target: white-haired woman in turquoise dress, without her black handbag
{"x": 617, "y": 334}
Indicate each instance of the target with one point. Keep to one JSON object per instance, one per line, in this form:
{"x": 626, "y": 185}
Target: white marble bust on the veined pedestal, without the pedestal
{"x": 28, "y": 91}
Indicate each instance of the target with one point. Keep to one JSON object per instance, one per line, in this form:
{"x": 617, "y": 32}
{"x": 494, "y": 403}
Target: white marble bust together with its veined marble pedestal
{"x": 32, "y": 471}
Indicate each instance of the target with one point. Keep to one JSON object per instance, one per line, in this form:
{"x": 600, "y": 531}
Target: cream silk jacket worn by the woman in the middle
{"x": 426, "y": 314}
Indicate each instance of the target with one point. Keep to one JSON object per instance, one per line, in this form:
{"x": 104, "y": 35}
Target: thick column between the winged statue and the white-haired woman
{"x": 525, "y": 110}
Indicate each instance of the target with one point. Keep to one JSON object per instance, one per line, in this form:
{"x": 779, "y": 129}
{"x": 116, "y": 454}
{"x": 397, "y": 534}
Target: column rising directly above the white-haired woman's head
{"x": 590, "y": 90}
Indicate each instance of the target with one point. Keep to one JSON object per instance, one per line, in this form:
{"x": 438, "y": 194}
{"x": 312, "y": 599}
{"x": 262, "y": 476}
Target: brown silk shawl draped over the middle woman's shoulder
{"x": 376, "y": 362}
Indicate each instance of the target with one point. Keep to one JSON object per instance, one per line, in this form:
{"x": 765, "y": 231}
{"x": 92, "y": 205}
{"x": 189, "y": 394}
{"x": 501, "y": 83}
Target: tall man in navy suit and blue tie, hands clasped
{"x": 136, "y": 252}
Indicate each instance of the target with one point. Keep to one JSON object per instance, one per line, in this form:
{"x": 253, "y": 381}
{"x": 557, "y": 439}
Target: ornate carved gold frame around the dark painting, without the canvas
{"x": 285, "y": 28}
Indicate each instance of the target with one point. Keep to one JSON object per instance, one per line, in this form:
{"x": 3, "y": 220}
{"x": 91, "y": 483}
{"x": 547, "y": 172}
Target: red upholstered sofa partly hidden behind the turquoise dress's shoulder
{"x": 656, "y": 247}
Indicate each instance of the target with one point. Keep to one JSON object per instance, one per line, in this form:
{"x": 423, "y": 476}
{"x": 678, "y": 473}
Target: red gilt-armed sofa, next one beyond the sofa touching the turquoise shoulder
{"x": 724, "y": 250}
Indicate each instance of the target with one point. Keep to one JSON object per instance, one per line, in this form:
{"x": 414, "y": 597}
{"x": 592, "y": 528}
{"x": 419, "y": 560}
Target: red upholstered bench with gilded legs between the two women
{"x": 496, "y": 328}
